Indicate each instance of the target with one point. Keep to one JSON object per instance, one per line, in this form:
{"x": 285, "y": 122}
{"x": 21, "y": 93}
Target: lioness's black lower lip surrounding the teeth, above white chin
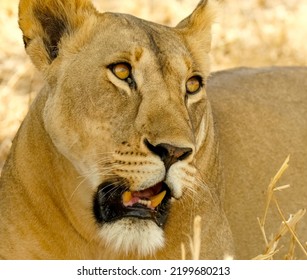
{"x": 108, "y": 206}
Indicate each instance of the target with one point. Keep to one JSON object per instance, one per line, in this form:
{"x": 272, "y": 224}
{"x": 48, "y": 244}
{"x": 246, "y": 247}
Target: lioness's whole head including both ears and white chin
{"x": 125, "y": 106}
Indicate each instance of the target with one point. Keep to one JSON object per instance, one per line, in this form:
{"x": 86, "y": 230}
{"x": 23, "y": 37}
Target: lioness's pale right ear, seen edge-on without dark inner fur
{"x": 196, "y": 28}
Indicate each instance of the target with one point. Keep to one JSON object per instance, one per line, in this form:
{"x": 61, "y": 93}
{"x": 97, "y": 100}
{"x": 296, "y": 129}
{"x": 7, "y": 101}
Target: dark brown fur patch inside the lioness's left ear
{"x": 54, "y": 28}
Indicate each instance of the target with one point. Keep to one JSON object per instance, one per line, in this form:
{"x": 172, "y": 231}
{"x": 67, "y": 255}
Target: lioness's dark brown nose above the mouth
{"x": 169, "y": 154}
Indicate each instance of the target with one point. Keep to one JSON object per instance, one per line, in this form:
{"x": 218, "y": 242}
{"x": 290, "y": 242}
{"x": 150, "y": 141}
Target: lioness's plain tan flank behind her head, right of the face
{"x": 261, "y": 117}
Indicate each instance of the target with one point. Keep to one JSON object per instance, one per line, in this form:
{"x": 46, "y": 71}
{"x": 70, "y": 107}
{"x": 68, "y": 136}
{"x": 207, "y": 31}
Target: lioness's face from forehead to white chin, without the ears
{"x": 127, "y": 108}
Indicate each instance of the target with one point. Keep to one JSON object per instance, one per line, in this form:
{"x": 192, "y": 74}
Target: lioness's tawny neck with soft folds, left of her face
{"x": 42, "y": 183}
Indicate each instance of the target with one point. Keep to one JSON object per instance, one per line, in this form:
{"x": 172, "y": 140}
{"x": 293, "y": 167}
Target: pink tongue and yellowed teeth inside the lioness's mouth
{"x": 145, "y": 197}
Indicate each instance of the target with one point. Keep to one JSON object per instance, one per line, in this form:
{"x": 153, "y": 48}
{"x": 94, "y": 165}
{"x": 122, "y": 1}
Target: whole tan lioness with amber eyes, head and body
{"x": 119, "y": 151}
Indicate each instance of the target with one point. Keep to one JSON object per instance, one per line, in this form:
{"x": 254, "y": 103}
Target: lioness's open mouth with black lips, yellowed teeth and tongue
{"x": 113, "y": 202}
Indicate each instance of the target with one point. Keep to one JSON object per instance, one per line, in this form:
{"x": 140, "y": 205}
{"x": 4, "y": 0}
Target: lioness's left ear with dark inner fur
{"x": 45, "y": 22}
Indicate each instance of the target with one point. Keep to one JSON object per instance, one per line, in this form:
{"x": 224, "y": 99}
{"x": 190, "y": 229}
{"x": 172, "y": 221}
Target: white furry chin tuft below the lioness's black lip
{"x": 142, "y": 237}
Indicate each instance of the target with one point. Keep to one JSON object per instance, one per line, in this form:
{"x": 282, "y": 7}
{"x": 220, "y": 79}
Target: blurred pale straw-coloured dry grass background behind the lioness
{"x": 246, "y": 33}
